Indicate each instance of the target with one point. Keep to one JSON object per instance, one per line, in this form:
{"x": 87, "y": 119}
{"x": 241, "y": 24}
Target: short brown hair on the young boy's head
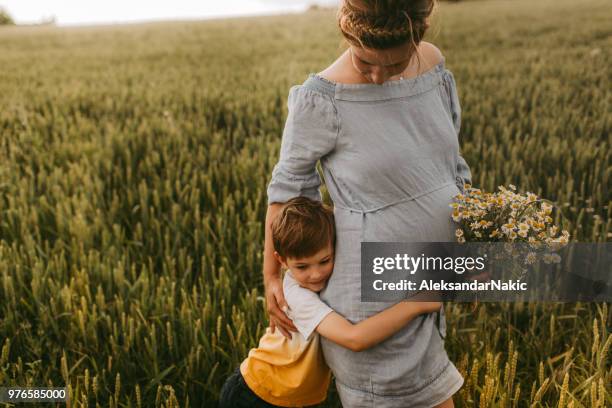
{"x": 303, "y": 228}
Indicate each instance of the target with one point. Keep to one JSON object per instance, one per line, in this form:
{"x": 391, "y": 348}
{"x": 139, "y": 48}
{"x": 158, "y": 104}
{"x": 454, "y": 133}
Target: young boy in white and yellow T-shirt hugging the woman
{"x": 293, "y": 373}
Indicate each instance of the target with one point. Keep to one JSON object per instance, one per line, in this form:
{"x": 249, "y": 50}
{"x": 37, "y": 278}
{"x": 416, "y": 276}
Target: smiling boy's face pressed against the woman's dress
{"x": 311, "y": 272}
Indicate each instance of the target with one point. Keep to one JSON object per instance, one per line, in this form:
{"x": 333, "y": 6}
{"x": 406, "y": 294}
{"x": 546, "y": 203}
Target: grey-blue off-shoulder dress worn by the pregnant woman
{"x": 391, "y": 163}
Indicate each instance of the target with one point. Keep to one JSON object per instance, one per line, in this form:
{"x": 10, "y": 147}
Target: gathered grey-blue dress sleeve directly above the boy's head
{"x": 309, "y": 134}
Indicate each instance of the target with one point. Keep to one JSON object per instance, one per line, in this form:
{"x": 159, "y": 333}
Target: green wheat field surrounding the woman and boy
{"x": 134, "y": 162}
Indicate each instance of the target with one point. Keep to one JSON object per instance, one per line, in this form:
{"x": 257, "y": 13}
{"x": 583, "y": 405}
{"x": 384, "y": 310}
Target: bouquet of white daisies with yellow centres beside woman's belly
{"x": 510, "y": 217}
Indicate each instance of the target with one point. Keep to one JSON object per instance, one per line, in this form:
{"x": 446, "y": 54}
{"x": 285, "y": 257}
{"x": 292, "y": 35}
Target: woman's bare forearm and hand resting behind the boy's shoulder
{"x": 275, "y": 298}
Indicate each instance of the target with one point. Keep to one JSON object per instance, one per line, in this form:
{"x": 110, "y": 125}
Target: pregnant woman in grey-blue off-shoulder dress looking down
{"x": 384, "y": 120}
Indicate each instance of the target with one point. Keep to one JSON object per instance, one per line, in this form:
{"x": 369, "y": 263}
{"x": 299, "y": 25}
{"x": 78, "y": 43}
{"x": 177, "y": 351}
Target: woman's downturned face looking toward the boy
{"x": 379, "y": 66}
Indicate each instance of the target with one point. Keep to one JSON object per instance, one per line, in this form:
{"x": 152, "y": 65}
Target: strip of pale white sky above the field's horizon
{"x": 83, "y": 12}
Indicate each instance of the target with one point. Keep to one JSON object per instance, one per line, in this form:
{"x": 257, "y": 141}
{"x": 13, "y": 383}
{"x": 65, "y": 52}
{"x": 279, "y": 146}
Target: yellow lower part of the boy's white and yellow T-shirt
{"x": 287, "y": 373}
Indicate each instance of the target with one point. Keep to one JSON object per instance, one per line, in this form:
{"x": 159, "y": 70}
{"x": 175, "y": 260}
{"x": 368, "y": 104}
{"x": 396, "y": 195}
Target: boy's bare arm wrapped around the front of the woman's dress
{"x": 375, "y": 329}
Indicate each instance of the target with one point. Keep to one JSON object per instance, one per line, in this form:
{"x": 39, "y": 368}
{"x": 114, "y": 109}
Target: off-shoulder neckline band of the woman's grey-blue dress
{"x": 387, "y": 90}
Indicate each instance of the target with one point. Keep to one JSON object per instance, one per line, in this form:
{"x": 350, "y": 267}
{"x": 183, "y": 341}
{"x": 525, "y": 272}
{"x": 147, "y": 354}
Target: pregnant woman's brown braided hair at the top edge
{"x": 383, "y": 24}
